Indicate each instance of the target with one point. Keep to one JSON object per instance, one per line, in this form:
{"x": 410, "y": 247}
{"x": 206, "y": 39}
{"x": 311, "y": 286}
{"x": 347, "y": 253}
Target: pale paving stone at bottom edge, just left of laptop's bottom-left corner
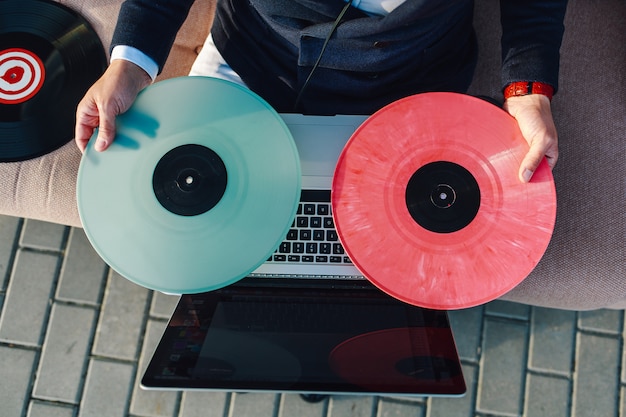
{"x": 107, "y": 390}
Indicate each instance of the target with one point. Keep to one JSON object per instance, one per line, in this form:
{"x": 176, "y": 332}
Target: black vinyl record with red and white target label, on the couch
{"x": 49, "y": 57}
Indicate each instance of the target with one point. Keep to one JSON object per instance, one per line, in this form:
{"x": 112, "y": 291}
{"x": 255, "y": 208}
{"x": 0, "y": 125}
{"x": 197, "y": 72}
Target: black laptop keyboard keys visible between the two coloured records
{"x": 312, "y": 237}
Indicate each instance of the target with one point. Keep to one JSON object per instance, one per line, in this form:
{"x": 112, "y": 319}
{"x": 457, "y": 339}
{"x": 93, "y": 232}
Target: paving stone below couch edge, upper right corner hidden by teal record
{"x": 82, "y": 273}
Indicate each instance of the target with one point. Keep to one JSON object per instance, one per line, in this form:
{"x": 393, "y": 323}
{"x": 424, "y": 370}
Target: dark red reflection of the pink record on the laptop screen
{"x": 380, "y": 360}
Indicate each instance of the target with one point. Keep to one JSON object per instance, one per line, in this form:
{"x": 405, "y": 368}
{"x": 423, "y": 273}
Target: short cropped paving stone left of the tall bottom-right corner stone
{"x": 547, "y": 396}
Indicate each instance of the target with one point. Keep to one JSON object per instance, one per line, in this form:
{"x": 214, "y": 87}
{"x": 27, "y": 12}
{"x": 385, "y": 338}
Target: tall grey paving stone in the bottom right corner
{"x": 596, "y": 380}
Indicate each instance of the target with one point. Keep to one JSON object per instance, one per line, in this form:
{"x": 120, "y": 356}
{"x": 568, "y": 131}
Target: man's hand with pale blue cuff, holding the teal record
{"x": 110, "y": 96}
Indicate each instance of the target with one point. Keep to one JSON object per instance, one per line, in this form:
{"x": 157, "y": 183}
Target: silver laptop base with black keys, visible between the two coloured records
{"x": 312, "y": 248}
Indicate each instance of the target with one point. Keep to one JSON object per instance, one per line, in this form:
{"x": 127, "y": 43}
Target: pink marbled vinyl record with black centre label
{"x": 428, "y": 205}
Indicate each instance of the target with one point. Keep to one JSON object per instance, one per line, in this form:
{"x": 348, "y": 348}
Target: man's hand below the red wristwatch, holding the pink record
{"x": 534, "y": 116}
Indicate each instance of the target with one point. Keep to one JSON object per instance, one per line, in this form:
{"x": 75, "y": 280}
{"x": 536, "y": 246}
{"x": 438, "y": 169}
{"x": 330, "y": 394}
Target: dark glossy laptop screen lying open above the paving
{"x": 314, "y": 337}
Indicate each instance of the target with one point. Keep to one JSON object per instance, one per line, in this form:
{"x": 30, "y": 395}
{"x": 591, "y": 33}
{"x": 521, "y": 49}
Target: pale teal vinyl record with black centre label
{"x": 198, "y": 189}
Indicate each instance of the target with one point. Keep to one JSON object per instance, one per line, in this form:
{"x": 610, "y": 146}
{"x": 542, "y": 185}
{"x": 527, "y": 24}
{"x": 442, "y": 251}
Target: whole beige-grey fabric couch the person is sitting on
{"x": 585, "y": 264}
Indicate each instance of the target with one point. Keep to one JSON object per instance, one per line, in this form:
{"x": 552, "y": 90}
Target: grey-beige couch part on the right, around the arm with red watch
{"x": 585, "y": 264}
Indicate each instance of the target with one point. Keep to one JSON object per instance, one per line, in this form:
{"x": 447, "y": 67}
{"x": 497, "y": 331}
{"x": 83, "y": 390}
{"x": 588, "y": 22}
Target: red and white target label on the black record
{"x": 22, "y": 74}
